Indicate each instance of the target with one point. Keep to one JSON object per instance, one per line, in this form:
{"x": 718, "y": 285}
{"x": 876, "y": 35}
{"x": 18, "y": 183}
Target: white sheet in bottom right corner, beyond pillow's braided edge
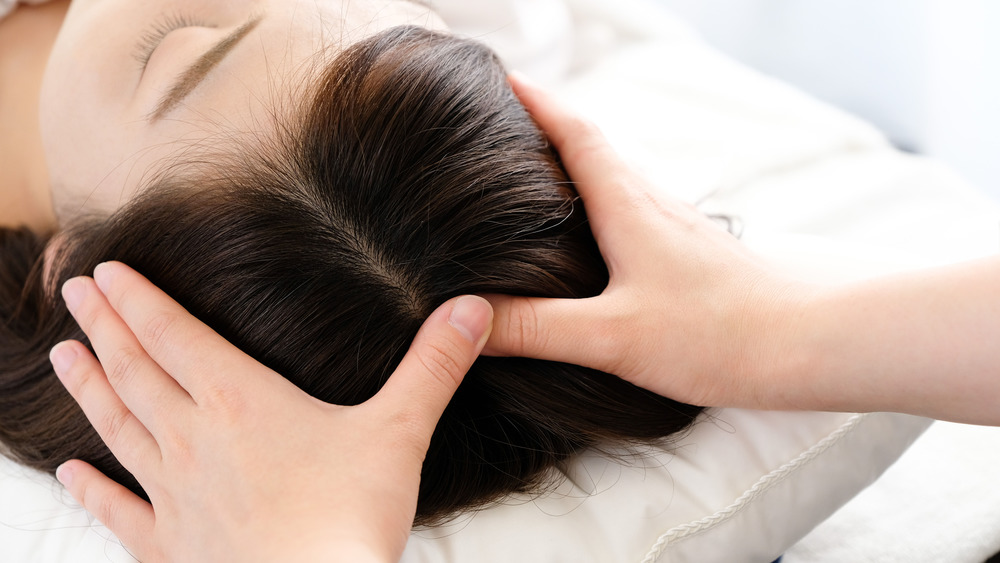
{"x": 938, "y": 503}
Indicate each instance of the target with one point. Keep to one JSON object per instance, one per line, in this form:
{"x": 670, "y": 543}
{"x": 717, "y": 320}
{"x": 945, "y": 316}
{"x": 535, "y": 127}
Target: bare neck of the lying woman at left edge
{"x": 26, "y": 38}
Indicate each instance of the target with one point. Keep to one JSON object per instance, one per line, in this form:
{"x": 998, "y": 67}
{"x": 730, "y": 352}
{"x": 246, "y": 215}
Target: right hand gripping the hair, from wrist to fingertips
{"x": 689, "y": 312}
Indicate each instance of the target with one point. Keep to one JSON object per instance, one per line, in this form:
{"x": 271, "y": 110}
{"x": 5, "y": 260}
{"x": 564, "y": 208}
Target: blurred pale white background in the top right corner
{"x": 927, "y": 72}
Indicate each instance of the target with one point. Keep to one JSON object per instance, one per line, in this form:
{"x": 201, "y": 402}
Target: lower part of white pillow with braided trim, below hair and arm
{"x": 742, "y": 486}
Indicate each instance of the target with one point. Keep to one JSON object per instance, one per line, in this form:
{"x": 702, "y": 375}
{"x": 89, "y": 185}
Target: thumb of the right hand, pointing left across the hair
{"x": 560, "y": 330}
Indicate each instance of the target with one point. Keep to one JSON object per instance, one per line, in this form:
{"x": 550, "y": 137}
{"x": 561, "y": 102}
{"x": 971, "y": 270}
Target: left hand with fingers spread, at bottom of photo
{"x": 239, "y": 464}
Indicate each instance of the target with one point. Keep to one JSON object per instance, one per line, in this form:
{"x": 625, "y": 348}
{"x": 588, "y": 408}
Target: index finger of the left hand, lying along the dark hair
{"x": 187, "y": 349}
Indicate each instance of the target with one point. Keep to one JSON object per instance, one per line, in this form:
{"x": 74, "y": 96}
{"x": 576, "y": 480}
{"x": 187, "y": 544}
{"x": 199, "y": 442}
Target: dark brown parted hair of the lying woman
{"x": 413, "y": 175}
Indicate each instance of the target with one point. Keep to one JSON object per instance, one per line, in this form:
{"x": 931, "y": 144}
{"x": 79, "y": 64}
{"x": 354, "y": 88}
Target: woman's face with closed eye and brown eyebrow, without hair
{"x": 130, "y": 83}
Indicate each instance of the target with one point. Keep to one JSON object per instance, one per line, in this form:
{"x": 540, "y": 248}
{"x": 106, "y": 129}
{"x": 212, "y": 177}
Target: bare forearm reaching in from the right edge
{"x": 924, "y": 343}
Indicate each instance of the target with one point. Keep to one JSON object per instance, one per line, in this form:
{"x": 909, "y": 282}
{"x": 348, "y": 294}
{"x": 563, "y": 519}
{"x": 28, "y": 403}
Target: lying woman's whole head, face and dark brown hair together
{"x": 312, "y": 180}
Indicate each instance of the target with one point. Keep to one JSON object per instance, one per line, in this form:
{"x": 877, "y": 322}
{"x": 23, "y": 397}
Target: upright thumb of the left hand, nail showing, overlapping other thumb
{"x": 443, "y": 351}
